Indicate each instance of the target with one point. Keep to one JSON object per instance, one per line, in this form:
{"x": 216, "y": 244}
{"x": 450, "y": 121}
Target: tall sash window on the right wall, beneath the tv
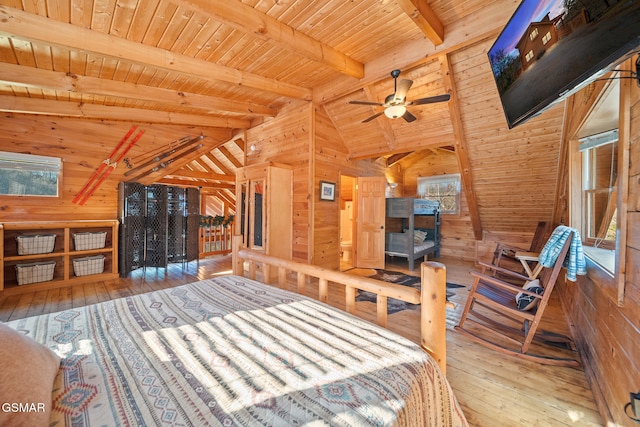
{"x": 599, "y": 182}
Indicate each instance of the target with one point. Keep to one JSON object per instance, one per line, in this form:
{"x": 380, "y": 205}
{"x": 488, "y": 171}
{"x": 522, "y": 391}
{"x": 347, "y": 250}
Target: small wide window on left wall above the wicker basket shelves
{"x": 29, "y": 175}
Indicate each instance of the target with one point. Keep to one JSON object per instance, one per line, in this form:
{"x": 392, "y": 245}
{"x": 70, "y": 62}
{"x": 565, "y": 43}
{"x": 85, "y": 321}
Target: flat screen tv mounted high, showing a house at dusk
{"x": 551, "y": 48}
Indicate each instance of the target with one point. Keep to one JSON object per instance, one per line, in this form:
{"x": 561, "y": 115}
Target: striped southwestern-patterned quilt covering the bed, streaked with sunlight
{"x": 230, "y": 351}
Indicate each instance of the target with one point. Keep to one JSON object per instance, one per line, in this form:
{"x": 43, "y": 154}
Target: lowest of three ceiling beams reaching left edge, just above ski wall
{"x": 15, "y": 104}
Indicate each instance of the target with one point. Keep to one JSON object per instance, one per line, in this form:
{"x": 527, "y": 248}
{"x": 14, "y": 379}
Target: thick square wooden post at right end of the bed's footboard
{"x": 433, "y": 313}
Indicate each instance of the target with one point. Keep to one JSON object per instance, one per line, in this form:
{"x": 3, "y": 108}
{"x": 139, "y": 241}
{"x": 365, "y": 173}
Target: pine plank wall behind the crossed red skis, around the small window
{"x": 82, "y": 144}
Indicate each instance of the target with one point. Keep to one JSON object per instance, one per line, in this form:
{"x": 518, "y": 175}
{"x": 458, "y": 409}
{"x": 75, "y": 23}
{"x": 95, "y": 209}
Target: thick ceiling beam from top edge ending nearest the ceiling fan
{"x": 245, "y": 18}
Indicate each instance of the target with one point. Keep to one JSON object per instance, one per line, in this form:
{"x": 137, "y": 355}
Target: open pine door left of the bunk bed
{"x": 370, "y": 211}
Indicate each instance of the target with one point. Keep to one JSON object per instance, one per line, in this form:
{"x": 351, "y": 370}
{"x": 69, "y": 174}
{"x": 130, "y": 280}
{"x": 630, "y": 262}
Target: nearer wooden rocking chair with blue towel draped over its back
{"x": 512, "y": 330}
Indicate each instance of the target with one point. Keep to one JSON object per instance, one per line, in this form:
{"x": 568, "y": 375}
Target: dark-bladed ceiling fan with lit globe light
{"x": 395, "y": 105}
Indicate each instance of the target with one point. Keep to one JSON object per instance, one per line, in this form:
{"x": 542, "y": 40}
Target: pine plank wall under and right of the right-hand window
{"x": 606, "y": 332}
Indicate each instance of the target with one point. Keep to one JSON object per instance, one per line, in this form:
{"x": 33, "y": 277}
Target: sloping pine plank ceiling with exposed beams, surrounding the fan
{"x": 231, "y": 65}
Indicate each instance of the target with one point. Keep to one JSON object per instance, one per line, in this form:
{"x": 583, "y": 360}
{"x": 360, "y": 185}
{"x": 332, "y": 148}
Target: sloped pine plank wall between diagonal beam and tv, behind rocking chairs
{"x": 513, "y": 192}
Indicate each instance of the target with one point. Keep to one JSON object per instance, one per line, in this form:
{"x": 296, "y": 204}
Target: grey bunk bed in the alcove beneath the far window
{"x": 412, "y": 228}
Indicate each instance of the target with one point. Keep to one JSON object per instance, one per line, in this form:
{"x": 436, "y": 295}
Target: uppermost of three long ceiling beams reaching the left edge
{"x": 30, "y": 27}
